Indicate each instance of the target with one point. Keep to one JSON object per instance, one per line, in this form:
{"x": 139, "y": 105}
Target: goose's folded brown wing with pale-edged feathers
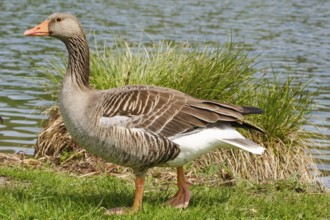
{"x": 165, "y": 111}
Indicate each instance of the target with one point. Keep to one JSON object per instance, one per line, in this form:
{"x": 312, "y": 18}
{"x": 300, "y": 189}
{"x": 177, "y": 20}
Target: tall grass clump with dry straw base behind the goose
{"x": 224, "y": 74}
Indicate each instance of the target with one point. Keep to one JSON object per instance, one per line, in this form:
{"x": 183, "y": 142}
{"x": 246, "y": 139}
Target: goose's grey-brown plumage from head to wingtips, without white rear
{"x": 134, "y": 125}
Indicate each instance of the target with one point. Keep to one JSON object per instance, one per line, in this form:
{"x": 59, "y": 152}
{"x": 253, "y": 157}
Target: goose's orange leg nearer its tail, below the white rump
{"x": 182, "y": 197}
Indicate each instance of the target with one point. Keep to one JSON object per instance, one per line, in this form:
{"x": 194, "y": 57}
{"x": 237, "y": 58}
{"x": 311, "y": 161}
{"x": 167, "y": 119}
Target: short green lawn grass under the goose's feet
{"x": 27, "y": 193}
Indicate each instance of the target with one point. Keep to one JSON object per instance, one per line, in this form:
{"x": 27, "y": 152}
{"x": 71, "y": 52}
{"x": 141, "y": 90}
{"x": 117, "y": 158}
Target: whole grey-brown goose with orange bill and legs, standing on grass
{"x": 140, "y": 126}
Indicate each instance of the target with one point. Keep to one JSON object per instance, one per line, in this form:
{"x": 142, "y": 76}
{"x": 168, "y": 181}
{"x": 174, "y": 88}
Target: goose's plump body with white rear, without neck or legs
{"x": 140, "y": 133}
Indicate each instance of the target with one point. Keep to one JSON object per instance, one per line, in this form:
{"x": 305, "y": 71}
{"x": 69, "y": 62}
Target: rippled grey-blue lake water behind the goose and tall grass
{"x": 284, "y": 34}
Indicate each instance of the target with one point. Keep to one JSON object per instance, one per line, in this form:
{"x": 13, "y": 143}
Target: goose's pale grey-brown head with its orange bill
{"x": 59, "y": 25}
